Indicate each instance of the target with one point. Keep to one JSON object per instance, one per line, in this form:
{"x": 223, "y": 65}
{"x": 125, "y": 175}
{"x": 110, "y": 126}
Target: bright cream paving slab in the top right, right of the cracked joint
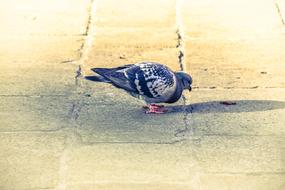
{"x": 230, "y": 19}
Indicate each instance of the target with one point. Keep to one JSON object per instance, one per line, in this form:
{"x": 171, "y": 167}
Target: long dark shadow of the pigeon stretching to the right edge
{"x": 233, "y": 106}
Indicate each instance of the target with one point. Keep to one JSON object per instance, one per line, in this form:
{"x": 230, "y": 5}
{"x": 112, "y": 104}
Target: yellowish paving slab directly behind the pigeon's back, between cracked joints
{"x": 112, "y": 57}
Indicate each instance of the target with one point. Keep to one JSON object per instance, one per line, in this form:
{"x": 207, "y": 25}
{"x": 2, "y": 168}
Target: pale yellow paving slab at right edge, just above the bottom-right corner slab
{"x": 239, "y": 154}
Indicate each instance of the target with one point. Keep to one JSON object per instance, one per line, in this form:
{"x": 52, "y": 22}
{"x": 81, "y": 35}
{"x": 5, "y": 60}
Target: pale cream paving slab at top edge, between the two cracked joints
{"x": 134, "y": 13}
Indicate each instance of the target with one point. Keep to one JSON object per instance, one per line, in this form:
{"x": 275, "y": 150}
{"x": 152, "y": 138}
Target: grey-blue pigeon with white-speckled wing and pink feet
{"x": 153, "y": 82}
